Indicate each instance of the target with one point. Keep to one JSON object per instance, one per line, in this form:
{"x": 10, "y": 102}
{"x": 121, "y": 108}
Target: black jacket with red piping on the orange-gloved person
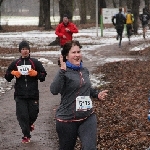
{"x": 26, "y": 87}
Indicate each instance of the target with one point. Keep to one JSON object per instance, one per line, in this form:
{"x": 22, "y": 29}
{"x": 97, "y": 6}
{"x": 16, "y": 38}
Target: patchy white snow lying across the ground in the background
{"x": 87, "y": 37}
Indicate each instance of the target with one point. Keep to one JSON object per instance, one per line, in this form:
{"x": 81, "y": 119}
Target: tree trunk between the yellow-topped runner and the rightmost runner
{"x": 135, "y": 10}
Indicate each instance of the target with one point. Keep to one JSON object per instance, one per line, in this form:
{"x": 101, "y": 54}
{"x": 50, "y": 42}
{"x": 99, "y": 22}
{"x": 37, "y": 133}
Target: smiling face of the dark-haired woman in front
{"x": 74, "y": 56}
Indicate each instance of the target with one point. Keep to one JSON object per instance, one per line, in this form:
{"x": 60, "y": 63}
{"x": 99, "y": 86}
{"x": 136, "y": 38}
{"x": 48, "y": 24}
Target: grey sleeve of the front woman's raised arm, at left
{"x": 58, "y": 82}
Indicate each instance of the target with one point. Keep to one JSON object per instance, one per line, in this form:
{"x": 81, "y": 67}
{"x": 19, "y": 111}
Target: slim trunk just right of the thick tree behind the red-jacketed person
{"x": 82, "y": 10}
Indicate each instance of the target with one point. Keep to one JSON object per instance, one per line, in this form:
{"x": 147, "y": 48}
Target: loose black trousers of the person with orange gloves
{"x": 27, "y": 113}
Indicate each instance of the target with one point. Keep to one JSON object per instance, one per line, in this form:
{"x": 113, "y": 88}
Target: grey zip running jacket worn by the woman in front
{"x": 71, "y": 84}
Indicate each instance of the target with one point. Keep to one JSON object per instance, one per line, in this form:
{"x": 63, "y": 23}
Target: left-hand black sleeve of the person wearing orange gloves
{"x": 8, "y": 75}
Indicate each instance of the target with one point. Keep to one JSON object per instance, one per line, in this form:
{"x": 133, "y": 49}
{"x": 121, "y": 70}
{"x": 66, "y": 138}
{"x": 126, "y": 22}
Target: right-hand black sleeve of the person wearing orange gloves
{"x": 41, "y": 73}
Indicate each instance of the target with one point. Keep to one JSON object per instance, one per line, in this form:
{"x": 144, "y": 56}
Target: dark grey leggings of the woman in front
{"x": 69, "y": 131}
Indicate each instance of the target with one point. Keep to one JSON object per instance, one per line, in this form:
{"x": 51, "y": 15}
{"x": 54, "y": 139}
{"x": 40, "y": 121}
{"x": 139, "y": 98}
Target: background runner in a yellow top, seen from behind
{"x": 129, "y": 23}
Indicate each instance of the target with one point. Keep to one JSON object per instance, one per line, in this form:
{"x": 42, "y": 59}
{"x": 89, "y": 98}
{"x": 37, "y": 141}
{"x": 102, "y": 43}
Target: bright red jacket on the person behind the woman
{"x": 60, "y": 31}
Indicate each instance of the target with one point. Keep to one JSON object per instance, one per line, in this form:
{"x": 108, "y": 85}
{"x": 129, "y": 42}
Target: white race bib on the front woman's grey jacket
{"x": 83, "y": 103}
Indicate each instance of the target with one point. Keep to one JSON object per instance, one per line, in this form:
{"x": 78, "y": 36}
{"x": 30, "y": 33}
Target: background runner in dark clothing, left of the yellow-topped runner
{"x": 118, "y": 21}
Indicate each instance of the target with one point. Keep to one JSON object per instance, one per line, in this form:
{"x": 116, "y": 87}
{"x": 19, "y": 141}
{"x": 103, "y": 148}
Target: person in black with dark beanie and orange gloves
{"x": 27, "y": 72}
